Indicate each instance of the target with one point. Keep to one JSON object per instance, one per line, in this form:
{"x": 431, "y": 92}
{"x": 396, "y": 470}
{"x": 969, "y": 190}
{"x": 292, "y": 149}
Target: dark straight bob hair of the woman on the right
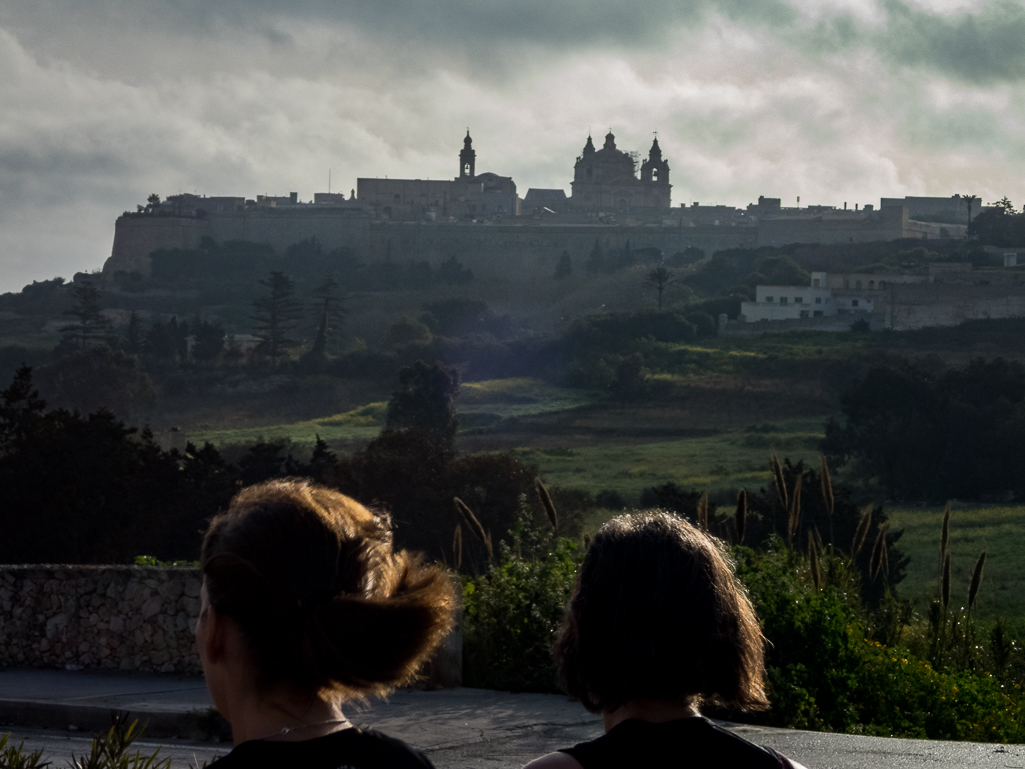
{"x": 658, "y": 614}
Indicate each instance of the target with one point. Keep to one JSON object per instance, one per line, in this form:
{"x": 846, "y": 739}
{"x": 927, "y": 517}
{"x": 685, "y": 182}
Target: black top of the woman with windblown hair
{"x": 349, "y": 749}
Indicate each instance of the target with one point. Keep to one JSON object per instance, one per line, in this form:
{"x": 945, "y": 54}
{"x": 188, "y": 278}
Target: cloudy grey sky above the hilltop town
{"x": 104, "y": 102}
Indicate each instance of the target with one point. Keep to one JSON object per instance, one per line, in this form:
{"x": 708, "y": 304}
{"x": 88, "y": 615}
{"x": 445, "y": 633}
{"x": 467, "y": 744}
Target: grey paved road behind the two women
{"x": 459, "y": 728}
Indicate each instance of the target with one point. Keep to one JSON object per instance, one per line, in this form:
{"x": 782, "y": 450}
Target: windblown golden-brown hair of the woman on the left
{"x": 323, "y": 600}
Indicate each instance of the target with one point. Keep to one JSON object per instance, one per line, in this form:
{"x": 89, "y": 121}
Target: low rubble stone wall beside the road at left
{"x": 124, "y": 618}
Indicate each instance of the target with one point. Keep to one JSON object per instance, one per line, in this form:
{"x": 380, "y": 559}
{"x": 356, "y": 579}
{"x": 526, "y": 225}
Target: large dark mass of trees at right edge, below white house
{"x": 922, "y": 434}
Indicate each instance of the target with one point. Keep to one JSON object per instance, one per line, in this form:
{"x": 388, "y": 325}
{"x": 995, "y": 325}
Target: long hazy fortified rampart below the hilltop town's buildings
{"x": 500, "y": 247}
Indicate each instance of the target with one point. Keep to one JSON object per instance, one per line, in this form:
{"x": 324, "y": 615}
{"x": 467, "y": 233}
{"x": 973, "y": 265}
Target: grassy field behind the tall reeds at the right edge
{"x": 998, "y": 530}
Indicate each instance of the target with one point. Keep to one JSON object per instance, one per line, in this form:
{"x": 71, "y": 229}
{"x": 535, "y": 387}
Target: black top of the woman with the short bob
{"x": 687, "y": 743}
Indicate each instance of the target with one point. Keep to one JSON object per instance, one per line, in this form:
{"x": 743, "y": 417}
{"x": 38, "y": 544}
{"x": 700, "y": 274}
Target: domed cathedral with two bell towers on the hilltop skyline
{"x": 606, "y": 180}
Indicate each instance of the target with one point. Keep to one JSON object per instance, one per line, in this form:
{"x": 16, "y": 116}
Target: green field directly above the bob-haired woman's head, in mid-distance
{"x": 722, "y": 463}
